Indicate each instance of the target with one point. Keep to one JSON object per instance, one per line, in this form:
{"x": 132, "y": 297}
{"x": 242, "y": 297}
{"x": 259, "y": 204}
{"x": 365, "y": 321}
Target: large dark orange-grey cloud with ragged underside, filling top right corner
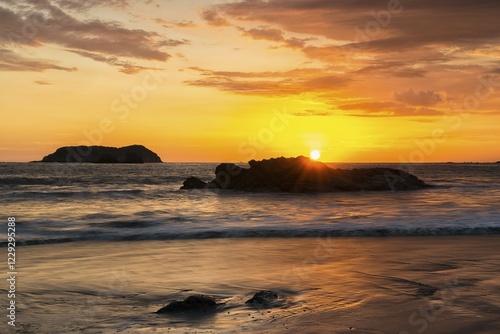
{"x": 370, "y": 29}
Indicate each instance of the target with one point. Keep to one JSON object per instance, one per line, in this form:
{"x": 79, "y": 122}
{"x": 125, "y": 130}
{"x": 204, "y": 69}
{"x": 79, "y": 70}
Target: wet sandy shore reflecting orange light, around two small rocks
{"x": 328, "y": 285}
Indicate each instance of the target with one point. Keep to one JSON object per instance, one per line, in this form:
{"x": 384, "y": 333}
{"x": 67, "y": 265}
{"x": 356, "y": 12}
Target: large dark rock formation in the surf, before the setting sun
{"x": 304, "y": 175}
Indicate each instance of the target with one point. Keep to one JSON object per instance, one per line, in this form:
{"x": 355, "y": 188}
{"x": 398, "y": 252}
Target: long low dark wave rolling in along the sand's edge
{"x": 265, "y": 233}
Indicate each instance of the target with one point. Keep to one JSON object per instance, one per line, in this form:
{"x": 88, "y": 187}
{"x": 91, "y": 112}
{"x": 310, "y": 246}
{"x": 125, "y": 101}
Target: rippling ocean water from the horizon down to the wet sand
{"x": 75, "y": 202}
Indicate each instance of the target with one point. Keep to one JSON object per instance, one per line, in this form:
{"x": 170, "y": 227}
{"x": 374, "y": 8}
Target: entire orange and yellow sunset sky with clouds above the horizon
{"x": 219, "y": 80}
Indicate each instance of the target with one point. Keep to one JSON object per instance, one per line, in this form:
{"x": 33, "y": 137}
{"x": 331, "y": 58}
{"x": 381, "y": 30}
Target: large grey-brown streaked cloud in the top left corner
{"x": 104, "y": 39}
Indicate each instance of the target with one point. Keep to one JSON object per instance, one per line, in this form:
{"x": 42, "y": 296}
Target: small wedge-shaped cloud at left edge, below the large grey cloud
{"x": 11, "y": 61}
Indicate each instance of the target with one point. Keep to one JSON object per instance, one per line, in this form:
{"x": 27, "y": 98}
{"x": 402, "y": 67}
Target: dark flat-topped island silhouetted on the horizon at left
{"x": 103, "y": 154}
